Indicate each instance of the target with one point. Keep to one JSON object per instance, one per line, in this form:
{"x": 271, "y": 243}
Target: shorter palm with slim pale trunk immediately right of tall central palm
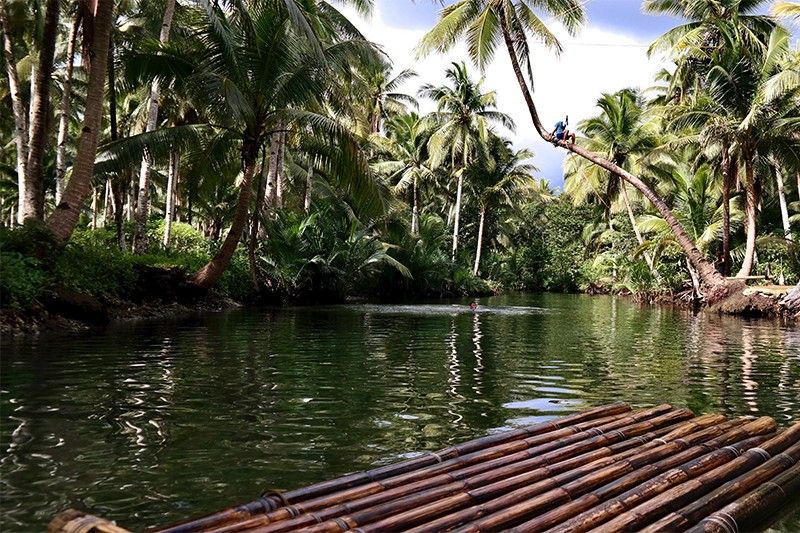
{"x": 498, "y": 182}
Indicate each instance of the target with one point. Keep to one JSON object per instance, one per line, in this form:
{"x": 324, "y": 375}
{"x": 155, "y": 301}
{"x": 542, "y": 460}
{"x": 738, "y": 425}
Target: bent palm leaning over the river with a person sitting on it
{"x": 486, "y": 24}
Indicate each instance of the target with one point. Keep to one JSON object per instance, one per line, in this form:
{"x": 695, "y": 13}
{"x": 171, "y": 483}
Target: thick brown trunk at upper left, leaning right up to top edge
{"x": 65, "y": 217}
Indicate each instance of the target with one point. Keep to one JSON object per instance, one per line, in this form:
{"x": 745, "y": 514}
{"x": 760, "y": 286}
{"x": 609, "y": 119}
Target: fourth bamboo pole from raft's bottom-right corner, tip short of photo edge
{"x": 602, "y": 502}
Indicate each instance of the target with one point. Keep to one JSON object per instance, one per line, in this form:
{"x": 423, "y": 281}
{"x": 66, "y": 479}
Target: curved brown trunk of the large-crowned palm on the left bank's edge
{"x": 210, "y": 274}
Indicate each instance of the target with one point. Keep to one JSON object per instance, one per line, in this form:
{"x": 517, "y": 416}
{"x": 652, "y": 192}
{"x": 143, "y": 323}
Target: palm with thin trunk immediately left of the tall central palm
{"x": 404, "y": 157}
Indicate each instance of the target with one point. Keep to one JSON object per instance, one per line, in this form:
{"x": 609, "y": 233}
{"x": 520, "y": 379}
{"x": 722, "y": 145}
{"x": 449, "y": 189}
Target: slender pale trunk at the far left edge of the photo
{"x": 18, "y": 109}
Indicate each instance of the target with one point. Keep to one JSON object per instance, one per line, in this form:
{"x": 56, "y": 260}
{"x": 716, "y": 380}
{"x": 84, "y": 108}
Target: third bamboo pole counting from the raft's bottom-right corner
{"x": 678, "y": 496}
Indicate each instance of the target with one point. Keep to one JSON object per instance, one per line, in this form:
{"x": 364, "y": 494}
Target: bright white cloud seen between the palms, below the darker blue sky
{"x": 596, "y": 61}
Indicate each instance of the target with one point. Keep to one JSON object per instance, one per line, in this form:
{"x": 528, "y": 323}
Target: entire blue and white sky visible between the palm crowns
{"x": 609, "y": 54}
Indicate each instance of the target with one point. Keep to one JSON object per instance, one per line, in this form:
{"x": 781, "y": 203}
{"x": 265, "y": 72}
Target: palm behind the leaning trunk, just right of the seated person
{"x": 623, "y": 134}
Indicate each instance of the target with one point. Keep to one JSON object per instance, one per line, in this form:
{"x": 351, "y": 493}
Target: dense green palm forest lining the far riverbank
{"x": 265, "y": 148}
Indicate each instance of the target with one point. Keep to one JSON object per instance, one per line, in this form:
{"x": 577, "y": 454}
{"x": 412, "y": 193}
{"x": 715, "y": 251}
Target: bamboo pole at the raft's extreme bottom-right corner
{"x": 749, "y": 512}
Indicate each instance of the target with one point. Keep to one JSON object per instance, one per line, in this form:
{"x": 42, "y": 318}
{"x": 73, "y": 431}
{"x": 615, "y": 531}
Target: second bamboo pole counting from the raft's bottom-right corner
{"x": 730, "y": 491}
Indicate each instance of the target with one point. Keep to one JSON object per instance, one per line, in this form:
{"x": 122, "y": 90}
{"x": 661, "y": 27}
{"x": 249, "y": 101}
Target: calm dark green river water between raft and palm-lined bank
{"x": 155, "y": 422}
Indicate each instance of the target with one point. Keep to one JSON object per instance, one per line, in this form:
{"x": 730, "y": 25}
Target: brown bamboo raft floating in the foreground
{"x": 606, "y": 469}
